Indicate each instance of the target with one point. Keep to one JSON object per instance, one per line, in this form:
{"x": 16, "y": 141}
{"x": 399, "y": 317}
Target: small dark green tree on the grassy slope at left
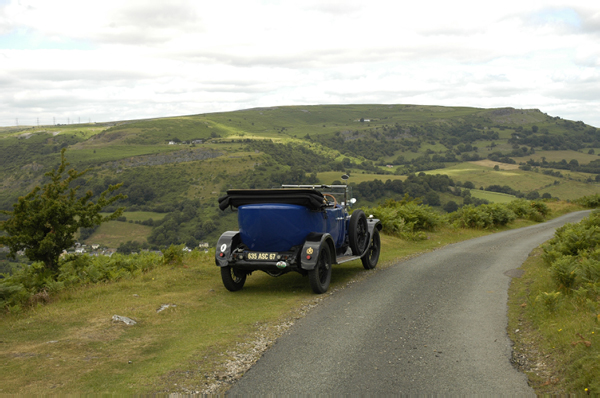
{"x": 43, "y": 223}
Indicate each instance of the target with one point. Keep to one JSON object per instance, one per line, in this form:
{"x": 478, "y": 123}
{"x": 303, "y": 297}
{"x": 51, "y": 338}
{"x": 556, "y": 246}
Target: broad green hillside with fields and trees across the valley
{"x": 173, "y": 169}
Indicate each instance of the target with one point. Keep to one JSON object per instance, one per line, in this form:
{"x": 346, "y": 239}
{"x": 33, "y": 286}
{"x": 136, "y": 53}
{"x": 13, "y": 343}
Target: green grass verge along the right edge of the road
{"x": 558, "y": 361}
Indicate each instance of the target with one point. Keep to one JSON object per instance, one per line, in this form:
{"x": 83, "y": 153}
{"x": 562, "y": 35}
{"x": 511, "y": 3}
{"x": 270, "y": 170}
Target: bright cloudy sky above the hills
{"x": 89, "y": 60}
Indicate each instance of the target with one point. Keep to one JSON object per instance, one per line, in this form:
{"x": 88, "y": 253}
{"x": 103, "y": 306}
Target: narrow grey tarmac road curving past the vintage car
{"x": 434, "y": 324}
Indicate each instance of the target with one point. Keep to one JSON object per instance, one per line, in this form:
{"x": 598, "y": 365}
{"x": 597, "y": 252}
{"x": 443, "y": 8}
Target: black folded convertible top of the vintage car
{"x": 306, "y": 197}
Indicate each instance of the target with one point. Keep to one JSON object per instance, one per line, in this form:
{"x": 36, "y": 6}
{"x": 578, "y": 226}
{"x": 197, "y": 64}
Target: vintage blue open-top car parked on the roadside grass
{"x": 301, "y": 228}
